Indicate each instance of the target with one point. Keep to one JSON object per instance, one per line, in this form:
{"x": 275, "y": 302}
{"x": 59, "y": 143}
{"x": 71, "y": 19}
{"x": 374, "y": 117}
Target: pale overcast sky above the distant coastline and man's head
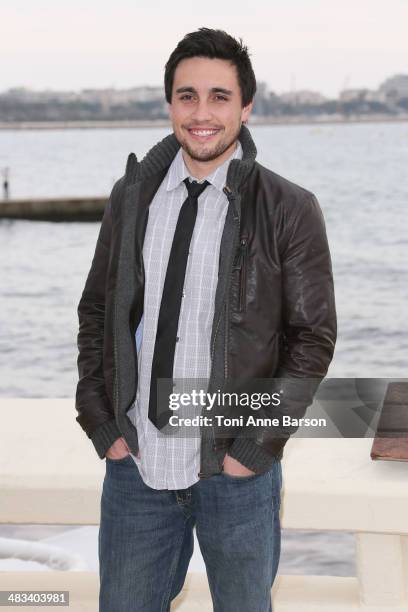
{"x": 320, "y": 45}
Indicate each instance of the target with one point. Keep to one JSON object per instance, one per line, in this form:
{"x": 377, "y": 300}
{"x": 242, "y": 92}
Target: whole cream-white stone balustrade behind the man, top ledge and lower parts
{"x": 51, "y": 474}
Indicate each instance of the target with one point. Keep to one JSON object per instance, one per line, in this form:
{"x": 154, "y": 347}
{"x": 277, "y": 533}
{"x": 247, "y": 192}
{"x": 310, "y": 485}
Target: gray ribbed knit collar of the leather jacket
{"x": 160, "y": 156}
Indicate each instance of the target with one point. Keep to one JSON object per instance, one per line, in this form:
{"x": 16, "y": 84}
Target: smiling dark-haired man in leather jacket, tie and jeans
{"x": 207, "y": 266}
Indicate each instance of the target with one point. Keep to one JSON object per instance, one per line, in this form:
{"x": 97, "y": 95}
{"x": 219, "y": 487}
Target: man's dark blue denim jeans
{"x": 146, "y": 539}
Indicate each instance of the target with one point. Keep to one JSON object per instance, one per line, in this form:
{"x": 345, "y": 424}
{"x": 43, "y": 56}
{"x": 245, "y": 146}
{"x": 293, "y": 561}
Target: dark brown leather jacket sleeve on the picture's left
{"x": 92, "y": 403}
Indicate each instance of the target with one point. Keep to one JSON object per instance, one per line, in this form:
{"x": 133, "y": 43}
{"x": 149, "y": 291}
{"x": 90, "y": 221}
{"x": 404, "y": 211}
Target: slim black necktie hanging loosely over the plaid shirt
{"x": 167, "y": 326}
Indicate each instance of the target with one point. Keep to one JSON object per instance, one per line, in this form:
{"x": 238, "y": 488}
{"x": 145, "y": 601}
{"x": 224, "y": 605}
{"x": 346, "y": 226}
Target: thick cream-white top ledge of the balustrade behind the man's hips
{"x": 328, "y": 484}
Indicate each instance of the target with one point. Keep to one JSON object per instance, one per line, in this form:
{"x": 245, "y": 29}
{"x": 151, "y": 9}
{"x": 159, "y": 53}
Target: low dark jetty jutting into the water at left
{"x": 54, "y": 209}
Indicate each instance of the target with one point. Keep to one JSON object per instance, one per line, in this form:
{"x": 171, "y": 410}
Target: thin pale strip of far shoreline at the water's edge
{"x": 255, "y": 121}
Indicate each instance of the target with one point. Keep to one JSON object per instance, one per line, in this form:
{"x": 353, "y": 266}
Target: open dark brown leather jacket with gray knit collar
{"x": 274, "y": 306}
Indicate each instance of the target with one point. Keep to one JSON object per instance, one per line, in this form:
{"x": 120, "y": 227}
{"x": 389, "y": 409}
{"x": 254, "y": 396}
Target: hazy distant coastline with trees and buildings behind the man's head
{"x": 146, "y": 107}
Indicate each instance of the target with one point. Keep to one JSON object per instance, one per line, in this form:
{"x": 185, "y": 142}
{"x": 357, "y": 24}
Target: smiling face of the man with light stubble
{"x": 205, "y": 108}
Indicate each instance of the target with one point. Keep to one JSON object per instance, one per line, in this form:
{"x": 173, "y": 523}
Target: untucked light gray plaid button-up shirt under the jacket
{"x": 173, "y": 462}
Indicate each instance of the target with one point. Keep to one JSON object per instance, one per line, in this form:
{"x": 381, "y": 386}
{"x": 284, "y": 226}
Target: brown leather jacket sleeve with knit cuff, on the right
{"x": 309, "y": 326}
